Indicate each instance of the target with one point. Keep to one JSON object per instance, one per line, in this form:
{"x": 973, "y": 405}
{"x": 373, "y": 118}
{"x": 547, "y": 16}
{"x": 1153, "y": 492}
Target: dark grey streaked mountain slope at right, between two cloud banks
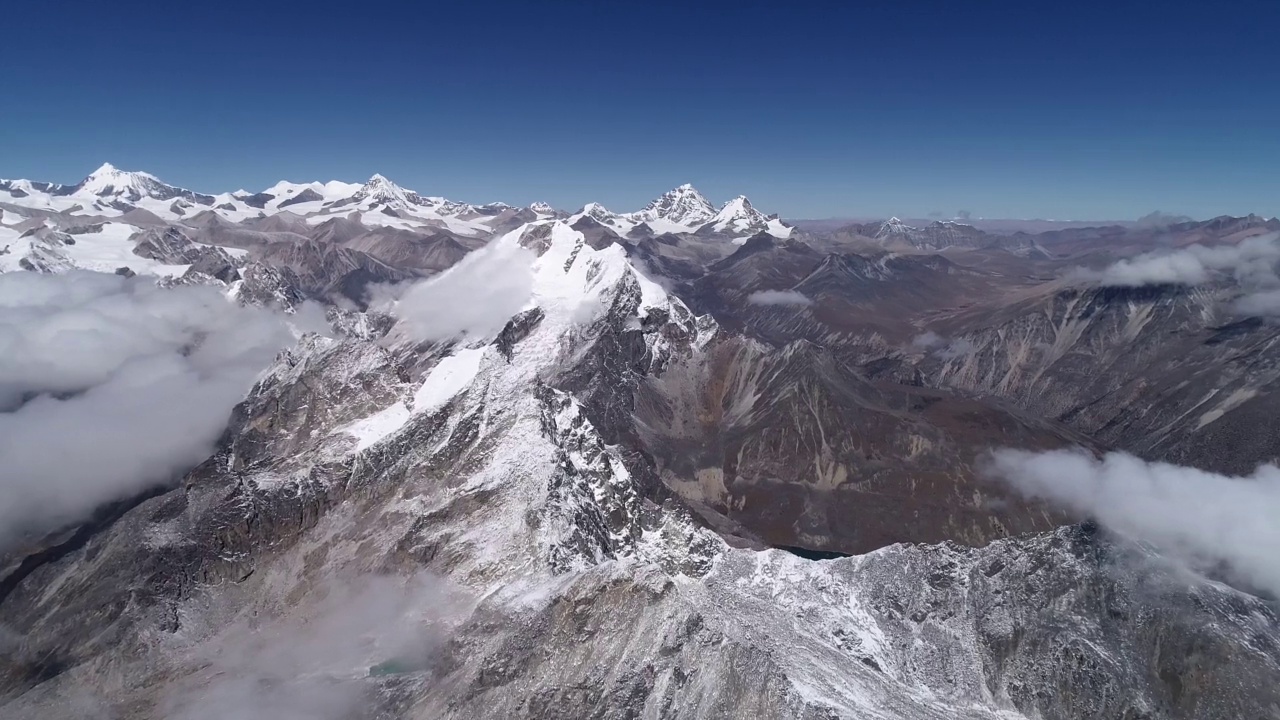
{"x": 1136, "y": 368}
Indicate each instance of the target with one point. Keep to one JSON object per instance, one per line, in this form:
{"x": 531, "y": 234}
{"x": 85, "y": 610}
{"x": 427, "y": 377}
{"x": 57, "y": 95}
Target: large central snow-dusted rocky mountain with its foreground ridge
{"x": 560, "y": 479}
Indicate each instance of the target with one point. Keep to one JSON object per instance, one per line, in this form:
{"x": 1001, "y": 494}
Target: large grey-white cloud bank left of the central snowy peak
{"x": 112, "y": 385}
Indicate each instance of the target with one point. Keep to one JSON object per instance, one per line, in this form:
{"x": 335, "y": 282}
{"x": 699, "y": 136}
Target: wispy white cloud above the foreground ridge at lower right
{"x": 1201, "y": 518}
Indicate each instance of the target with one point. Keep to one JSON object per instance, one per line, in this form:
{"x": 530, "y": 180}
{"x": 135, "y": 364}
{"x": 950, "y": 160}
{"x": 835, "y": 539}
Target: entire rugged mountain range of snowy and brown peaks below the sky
{"x": 688, "y": 462}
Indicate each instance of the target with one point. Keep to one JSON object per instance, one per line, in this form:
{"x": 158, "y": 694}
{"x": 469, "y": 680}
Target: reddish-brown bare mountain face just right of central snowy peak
{"x": 807, "y": 452}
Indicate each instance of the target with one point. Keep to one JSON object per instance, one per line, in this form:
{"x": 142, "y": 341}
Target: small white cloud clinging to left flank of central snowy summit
{"x": 474, "y": 298}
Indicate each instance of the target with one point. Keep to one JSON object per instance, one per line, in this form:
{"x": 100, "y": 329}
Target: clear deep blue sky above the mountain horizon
{"x": 1084, "y": 111}
